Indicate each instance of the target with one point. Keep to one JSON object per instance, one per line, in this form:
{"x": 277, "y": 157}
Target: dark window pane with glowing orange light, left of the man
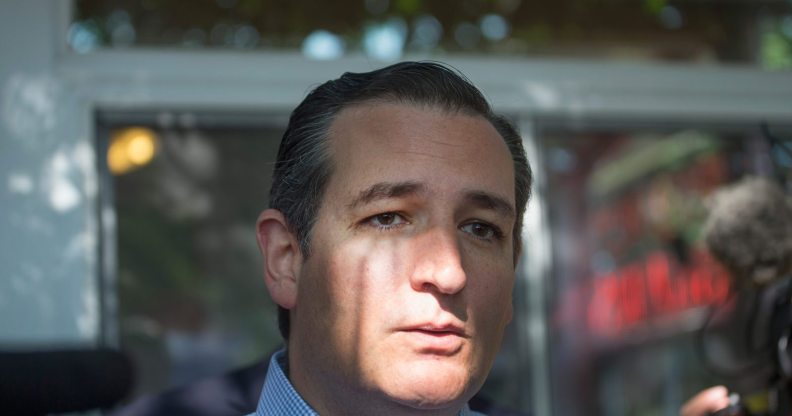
{"x": 192, "y": 302}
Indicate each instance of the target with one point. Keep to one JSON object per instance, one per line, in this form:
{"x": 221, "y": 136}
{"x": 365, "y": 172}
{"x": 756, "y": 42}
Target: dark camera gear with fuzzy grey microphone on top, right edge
{"x": 749, "y": 231}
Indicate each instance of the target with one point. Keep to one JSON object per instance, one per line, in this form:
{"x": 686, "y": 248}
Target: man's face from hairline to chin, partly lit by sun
{"x": 407, "y": 291}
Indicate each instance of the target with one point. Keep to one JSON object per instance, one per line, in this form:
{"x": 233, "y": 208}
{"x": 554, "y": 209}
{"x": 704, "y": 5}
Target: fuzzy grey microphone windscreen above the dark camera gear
{"x": 749, "y": 230}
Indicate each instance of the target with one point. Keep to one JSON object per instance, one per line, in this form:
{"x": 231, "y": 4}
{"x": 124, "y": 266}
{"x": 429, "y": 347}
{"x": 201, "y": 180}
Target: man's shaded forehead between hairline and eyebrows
{"x": 375, "y": 142}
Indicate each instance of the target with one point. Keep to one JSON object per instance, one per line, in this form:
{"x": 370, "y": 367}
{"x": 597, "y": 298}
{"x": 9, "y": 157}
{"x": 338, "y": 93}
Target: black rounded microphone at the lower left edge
{"x": 62, "y": 381}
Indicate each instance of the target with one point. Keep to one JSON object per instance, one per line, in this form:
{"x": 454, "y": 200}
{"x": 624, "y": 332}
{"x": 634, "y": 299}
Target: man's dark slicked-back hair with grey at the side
{"x": 304, "y": 163}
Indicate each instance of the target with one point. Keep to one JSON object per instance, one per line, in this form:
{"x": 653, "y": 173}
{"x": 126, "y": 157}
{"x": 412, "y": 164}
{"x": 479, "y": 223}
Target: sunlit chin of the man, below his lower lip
{"x": 431, "y": 384}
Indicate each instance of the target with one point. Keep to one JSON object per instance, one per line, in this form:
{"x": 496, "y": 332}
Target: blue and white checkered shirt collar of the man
{"x": 278, "y": 396}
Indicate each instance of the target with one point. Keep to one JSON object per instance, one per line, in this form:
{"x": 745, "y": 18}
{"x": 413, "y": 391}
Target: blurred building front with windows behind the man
{"x": 138, "y": 136}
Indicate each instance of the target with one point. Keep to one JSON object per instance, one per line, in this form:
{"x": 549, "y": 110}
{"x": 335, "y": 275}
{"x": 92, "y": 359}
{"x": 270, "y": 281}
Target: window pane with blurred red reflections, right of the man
{"x": 632, "y": 280}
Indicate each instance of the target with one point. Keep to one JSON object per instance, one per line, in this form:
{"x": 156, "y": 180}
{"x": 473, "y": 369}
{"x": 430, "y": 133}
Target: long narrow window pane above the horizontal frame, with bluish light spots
{"x": 742, "y": 31}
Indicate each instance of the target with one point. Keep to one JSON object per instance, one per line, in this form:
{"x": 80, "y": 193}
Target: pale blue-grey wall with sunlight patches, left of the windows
{"x": 47, "y": 187}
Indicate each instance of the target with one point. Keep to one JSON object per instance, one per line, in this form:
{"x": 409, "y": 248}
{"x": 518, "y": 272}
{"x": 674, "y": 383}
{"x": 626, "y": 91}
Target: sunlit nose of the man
{"x": 438, "y": 265}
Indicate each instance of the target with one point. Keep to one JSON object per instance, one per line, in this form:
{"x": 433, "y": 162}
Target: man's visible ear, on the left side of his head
{"x": 282, "y": 257}
